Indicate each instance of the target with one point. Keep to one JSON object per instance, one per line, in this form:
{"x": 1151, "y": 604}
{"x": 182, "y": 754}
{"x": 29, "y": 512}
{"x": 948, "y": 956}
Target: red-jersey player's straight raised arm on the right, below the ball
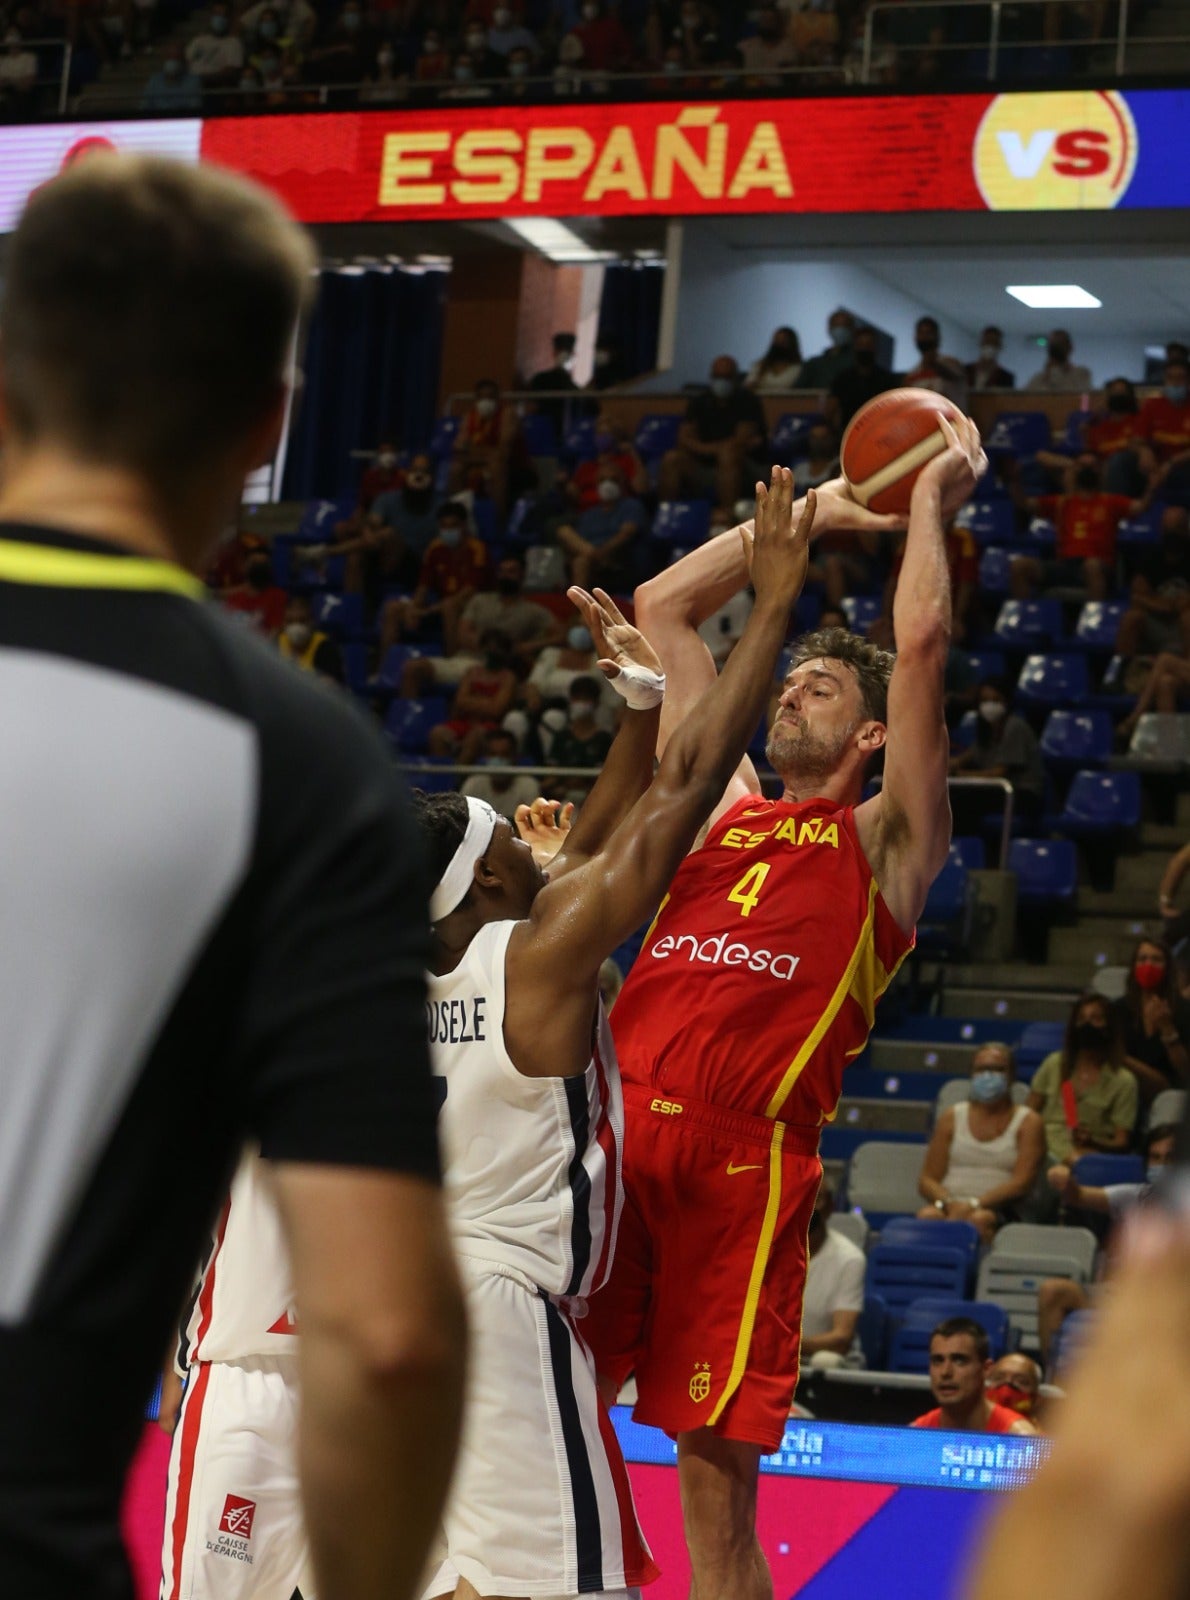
{"x": 906, "y": 828}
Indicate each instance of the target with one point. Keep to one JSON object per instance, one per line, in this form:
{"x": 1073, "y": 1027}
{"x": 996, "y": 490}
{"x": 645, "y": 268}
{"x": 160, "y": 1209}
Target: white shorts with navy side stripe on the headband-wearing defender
{"x": 541, "y": 1503}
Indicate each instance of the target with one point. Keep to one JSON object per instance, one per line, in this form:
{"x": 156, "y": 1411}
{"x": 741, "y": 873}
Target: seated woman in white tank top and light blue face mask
{"x": 986, "y": 1153}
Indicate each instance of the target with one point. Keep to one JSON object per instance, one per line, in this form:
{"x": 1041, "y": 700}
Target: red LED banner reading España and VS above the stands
{"x": 1064, "y": 151}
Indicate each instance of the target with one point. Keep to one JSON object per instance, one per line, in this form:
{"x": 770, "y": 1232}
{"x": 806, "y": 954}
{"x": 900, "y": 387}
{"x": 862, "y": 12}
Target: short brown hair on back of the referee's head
{"x": 150, "y": 311}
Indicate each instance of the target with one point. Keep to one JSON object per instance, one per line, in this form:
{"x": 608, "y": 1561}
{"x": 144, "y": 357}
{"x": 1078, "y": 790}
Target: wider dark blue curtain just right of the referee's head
{"x": 372, "y": 372}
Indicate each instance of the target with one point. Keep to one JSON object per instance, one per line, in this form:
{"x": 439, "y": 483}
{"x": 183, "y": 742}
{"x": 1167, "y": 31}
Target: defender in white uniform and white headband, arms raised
{"x": 532, "y": 1119}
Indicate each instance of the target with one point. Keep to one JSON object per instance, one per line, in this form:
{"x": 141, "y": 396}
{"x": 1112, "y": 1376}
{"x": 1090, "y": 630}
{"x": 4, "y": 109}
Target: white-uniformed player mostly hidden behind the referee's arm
{"x": 233, "y": 1519}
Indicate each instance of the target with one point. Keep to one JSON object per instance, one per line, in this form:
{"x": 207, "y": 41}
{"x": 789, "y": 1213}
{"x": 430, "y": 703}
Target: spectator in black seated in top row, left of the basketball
{"x": 721, "y": 442}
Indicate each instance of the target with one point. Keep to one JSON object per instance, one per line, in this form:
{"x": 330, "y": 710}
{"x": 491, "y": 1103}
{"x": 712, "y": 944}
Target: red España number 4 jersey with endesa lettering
{"x": 761, "y": 975}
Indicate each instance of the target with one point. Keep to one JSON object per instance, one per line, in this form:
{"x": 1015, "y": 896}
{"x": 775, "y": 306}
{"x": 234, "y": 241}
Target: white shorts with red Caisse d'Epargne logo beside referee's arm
{"x": 233, "y": 1518}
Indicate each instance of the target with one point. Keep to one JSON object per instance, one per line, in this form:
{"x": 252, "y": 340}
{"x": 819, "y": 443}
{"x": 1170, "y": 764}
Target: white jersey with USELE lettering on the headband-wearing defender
{"x": 533, "y": 1166}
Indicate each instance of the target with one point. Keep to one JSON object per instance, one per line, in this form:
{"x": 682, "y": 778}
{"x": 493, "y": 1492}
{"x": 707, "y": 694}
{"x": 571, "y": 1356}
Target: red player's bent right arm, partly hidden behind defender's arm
{"x": 673, "y": 606}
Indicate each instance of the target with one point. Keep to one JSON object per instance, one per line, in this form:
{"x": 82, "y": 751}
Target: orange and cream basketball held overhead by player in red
{"x": 889, "y": 442}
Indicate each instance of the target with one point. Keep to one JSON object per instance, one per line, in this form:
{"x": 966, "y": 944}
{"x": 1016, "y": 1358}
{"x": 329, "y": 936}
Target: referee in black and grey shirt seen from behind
{"x": 212, "y": 913}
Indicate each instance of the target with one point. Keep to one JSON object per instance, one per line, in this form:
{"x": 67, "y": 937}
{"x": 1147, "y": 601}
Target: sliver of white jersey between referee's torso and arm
{"x": 244, "y": 1298}
